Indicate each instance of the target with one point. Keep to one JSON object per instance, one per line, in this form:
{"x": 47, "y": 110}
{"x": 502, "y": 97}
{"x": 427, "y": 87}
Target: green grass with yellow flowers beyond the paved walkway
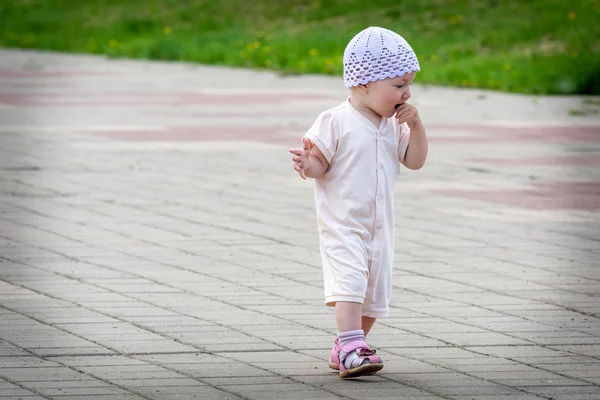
{"x": 537, "y": 46}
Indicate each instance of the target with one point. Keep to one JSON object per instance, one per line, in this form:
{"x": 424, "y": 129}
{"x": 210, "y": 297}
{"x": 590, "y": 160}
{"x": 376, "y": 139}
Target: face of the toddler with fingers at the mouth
{"x": 386, "y": 95}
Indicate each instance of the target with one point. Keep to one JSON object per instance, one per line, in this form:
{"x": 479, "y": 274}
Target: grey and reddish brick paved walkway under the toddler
{"x": 155, "y": 242}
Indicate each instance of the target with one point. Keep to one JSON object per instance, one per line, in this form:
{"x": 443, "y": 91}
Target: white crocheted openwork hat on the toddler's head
{"x": 377, "y": 53}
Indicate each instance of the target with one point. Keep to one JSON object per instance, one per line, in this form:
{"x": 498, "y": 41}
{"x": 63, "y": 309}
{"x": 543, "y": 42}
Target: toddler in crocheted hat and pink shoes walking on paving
{"x": 354, "y": 152}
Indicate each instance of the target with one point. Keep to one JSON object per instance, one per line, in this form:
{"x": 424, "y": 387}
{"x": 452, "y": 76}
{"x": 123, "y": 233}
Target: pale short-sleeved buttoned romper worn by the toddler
{"x": 355, "y": 205}
